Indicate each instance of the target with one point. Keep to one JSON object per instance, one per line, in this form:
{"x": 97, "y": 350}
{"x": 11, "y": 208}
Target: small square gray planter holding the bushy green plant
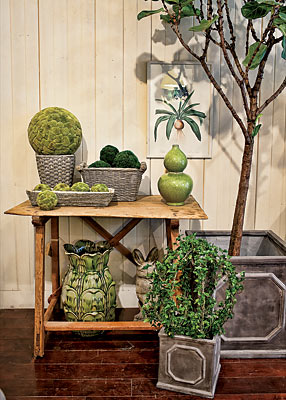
{"x": 189, "y": 365}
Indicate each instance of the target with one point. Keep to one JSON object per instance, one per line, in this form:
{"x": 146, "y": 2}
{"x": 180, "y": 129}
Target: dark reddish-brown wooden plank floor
{"x": 121, "y": 366}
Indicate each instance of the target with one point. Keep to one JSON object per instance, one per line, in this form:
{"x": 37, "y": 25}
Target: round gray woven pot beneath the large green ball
{"x": 56, "y": 169}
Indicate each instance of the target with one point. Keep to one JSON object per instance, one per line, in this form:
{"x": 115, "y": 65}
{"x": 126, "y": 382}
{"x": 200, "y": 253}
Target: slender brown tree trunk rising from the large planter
{"x": 238, "y": 219}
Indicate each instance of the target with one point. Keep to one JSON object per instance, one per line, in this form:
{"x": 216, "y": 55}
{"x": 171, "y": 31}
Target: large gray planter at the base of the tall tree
{"x": 258, "y": 327}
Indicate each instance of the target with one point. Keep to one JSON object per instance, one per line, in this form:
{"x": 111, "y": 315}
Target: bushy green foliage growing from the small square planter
{"x": 182, "y": 296}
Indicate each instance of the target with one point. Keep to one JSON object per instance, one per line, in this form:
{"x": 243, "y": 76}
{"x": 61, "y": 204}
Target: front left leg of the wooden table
{"x": 39, "y": 332}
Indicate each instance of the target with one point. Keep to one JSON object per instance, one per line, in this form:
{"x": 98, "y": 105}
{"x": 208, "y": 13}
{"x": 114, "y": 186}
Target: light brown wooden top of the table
{"x": 144, "y": 207}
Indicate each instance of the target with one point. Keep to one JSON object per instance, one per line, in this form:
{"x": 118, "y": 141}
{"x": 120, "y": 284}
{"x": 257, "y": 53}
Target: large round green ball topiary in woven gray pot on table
{"x": 55, "y": 134}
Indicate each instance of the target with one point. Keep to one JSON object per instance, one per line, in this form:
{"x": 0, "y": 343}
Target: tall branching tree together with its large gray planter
{"x": 261, "y": 254}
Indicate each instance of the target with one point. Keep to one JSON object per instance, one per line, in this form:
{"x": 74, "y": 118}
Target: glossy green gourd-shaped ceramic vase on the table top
{"x": 175, "y": 186}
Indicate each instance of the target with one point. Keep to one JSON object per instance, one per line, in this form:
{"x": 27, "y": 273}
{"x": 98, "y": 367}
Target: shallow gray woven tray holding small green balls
{"x": 77, "y": 199}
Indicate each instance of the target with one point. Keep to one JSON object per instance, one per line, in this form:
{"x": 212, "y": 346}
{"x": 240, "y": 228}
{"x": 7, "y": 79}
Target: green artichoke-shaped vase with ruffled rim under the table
{"x": 88, "y": 292}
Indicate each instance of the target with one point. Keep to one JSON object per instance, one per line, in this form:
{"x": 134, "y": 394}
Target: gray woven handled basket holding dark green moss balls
{"x": 125, "y": 181}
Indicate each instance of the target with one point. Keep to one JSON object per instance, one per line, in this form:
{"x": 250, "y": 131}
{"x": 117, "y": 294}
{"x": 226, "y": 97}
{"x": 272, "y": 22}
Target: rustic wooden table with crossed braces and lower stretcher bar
{"x": 150, "y": 207}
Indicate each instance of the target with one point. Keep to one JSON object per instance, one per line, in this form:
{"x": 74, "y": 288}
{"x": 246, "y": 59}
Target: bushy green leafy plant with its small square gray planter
{"x": 182, "y": 300}
